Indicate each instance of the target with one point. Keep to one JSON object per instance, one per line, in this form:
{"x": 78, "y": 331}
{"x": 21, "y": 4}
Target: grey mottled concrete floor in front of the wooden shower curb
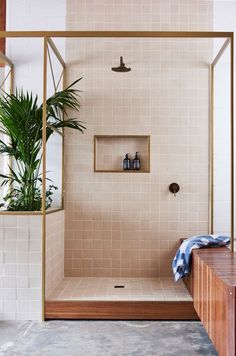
{"x": 104, "y": 338}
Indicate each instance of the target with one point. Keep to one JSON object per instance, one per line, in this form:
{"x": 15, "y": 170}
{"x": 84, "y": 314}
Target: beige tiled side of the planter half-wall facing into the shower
{"x": 54, "y": 250}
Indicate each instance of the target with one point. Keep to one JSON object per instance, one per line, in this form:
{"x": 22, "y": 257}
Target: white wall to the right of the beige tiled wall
{"x": 224, "y": 20}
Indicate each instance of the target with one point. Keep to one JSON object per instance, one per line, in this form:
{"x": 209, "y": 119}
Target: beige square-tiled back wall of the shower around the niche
{"x": 129, "y": 224}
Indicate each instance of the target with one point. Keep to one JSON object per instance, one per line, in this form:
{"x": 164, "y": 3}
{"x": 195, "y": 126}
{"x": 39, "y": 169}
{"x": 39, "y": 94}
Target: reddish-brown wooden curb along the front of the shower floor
{"x": 121, "y": 310}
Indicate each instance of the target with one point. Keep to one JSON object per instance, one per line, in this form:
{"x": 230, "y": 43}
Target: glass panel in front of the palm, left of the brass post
{"x": 28, "y": 75}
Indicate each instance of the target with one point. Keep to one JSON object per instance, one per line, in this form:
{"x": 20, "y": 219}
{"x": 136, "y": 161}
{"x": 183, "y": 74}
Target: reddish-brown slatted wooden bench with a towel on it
{"x": 212, "y": 284}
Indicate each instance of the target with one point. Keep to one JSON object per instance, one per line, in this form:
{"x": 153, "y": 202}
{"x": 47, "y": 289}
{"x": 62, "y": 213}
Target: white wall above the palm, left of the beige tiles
{"x": 27, "y": 55}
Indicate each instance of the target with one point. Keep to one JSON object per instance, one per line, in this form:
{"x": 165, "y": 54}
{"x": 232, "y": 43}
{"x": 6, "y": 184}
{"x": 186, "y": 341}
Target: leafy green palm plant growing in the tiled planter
{"x": 21, "y": 122}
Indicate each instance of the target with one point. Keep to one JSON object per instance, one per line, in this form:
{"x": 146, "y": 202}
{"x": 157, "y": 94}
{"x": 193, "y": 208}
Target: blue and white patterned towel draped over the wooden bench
{"x": 181, "y": 262}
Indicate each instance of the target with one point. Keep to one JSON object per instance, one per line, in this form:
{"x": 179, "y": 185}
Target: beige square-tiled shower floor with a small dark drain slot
{"x": 94, "y": 288}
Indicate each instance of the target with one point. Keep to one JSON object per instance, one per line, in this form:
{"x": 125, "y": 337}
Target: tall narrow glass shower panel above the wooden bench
{"x": 221, "y": 149}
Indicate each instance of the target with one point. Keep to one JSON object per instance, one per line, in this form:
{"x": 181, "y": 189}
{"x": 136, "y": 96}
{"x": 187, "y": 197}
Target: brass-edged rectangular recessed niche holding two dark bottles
{"x": 110, "y": 150}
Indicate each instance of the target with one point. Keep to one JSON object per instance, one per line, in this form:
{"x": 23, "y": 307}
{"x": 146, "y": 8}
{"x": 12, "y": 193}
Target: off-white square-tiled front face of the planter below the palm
{"x": 20, "y": 267}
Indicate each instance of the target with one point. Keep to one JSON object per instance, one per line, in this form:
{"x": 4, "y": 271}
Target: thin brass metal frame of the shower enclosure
{"x": 47, "y": 37}
